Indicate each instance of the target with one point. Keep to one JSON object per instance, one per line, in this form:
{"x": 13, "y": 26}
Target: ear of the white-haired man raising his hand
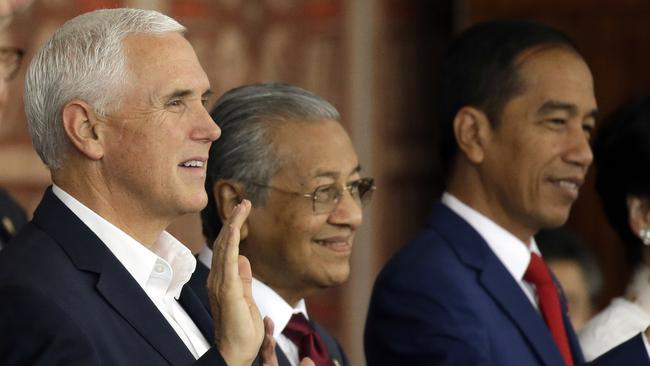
{"x": 81, "y": 126}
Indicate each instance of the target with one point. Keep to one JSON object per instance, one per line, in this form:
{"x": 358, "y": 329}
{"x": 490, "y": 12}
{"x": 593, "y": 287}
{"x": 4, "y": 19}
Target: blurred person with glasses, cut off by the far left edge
{"x": 12, "y": 215}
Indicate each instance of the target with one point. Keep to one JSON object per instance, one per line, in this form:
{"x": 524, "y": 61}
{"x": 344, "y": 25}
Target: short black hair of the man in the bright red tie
{"x": 479, "y": 70}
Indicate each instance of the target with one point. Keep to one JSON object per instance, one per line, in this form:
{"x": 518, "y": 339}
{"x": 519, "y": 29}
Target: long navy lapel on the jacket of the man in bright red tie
{"x": 474, "y": 252}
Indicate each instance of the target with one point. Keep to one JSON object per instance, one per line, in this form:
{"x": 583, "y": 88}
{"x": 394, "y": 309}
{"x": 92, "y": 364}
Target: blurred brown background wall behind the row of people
{"x": 375, "y": 60}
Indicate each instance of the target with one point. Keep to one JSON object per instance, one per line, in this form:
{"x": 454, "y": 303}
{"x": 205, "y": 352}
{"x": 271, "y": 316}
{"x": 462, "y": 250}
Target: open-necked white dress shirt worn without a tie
{"x": 161, "y": 271}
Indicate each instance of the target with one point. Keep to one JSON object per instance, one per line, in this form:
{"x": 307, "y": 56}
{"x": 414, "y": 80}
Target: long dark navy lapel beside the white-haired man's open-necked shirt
{"x": 114, "y": 282}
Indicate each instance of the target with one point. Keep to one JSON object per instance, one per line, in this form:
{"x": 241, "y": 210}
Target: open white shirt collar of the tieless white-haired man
{"x": 168, "y": 259}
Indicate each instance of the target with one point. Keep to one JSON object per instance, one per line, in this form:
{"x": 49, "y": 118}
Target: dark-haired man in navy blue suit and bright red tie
{"x": 516, "y": 110}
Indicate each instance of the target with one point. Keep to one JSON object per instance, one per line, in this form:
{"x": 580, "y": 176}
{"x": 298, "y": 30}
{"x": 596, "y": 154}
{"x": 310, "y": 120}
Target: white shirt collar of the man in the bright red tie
{"x": 512, "y": 252}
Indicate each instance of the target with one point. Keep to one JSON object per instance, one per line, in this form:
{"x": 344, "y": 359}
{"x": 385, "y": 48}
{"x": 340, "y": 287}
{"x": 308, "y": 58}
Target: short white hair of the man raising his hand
{"x": 84, "y": 59}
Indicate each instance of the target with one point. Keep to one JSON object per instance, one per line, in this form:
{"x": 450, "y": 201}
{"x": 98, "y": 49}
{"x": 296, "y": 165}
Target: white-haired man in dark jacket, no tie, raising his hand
{"x": 115, "y": 103}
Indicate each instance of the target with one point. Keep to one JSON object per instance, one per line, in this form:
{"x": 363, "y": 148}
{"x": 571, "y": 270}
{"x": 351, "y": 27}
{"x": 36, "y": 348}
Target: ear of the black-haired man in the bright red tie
{"x": 471, "y": 127}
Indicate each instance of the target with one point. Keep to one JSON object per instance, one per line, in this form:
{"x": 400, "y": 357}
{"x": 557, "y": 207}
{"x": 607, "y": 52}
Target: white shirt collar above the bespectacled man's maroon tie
{"x": 273, "y": 305}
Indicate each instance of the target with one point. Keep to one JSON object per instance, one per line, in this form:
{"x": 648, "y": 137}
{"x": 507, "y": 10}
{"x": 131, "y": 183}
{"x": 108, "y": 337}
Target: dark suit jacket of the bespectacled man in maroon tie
{"x": 198, "y": 284}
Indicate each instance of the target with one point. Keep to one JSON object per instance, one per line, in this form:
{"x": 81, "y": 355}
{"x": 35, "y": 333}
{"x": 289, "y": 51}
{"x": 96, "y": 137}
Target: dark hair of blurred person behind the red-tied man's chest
{"x": 561, "y": 244}
